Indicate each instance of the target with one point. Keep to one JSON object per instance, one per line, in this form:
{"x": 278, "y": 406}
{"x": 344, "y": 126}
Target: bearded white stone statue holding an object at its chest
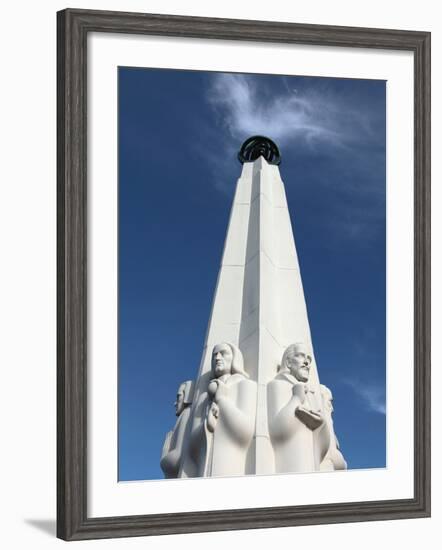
{"x": 298, "y": 429}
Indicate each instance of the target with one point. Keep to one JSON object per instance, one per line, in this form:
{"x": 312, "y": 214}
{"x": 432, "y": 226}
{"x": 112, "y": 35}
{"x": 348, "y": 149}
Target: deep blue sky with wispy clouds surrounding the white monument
{"x": 179, "y": 132}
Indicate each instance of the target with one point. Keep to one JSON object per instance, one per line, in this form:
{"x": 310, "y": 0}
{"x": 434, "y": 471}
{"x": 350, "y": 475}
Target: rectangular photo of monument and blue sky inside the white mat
{"x": 251, "y": 274}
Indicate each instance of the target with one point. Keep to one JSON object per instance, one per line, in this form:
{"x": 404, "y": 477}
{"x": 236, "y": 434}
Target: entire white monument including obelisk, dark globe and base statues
{"x": 258, "y": 406}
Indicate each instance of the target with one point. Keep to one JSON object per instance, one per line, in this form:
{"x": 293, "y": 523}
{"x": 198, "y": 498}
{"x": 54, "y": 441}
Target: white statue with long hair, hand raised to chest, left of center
{"x": 224, "y": 419}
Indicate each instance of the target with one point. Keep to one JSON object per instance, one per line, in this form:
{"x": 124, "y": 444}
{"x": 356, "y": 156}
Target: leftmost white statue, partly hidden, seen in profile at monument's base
{"x": 172, "y": 453}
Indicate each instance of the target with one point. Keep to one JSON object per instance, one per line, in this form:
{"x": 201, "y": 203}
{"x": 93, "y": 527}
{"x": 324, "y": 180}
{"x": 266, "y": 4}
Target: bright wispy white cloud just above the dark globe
{"x": 316, "y": 117}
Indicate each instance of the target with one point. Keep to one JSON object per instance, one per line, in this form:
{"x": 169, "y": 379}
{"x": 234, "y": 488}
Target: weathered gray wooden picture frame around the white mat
{"x": 73, "y": 28}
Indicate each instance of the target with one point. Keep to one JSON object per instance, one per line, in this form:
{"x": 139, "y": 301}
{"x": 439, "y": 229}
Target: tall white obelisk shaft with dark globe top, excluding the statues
{"x": 259, "y": 303}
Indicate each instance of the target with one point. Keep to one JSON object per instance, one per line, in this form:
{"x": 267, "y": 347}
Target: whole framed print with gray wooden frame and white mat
{"x": 243, "y": 228}
